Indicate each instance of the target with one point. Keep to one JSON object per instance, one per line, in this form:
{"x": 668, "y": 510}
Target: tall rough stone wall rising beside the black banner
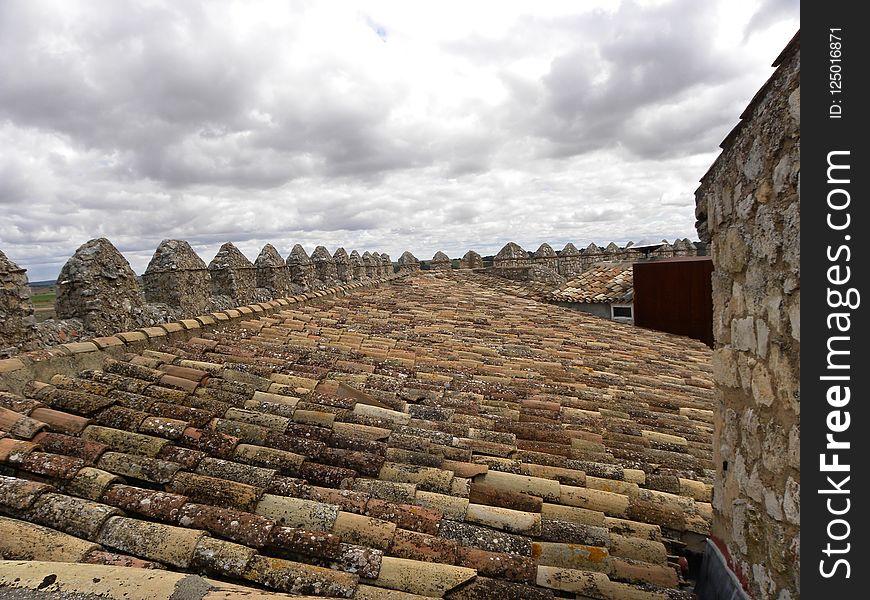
{"x": 748, "y": 208}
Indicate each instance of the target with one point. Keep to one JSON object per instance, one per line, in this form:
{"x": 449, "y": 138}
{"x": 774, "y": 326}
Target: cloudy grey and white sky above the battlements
{"x": 374, "y": 125}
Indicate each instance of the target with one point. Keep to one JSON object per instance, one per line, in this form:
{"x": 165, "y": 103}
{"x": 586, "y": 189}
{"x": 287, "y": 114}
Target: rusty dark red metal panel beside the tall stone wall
{"x": 676, "y": 296}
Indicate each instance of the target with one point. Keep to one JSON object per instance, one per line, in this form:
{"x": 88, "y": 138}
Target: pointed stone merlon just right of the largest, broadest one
{"x": 178, "y": 278}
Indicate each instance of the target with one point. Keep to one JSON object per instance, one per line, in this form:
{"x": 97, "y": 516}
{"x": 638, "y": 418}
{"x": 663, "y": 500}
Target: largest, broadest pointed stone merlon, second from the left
{"x": 98, "y": 286}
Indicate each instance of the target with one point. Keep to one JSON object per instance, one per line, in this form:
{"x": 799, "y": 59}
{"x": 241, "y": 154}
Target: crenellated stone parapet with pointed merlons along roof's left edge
{"x": 98, "y": 294}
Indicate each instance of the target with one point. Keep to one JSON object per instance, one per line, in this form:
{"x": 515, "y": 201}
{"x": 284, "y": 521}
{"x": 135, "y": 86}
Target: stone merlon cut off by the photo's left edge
{"x": 17, "y": 323}
